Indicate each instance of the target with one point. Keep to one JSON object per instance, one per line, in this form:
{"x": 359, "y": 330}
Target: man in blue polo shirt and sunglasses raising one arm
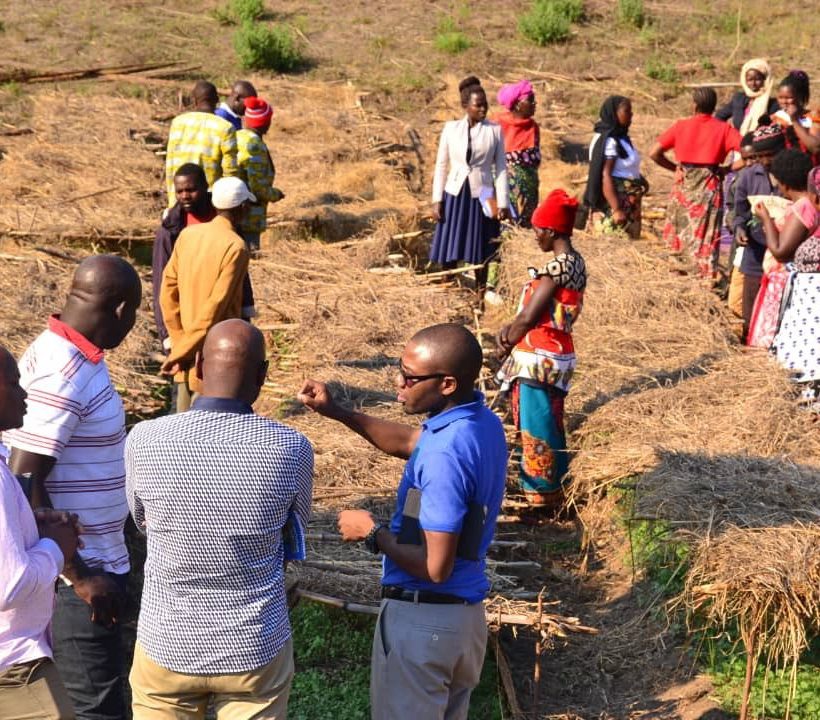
{"x": 431, "y": 634}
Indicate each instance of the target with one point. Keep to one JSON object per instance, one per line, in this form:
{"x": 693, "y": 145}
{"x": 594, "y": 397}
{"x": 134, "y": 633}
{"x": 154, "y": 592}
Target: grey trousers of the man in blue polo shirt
{"x": 426, "y": 660}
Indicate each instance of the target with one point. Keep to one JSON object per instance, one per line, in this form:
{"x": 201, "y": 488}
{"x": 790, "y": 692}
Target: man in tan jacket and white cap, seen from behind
{"x": 202, "y": 284}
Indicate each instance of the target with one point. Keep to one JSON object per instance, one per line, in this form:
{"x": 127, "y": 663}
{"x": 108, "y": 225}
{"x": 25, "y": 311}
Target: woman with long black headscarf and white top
{"x": 615, "y": 185}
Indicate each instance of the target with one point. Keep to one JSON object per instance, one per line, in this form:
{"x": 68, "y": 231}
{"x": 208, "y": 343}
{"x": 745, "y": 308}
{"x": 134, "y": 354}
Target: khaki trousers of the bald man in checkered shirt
{"x": 162, "y": 694}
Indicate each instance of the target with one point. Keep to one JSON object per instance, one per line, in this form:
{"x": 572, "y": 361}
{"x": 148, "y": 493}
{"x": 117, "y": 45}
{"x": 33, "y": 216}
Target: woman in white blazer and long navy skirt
{"x": 470, "y": 191}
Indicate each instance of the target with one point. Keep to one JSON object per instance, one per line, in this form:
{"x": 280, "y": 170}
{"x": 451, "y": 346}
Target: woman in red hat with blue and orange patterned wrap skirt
{"x": 541, "y": 354}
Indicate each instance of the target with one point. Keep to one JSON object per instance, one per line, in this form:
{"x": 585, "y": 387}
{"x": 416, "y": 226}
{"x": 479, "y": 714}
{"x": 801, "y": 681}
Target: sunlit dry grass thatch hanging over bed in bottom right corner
{"x": 768, "y": 581}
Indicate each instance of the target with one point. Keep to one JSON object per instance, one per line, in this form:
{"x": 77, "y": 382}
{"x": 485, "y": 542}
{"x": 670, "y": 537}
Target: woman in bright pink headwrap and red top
{"x": 522, "y": 143}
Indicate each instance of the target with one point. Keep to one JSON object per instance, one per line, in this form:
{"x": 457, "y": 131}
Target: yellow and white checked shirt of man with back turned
{"x": 204, "y": 139}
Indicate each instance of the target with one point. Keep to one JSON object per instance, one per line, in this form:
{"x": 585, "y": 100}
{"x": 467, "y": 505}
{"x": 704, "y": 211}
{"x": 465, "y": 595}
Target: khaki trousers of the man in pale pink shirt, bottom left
{"x": 33, "y": 691}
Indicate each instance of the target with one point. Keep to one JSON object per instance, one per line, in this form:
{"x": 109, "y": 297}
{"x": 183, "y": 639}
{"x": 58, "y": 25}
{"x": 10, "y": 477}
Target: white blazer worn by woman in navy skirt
{"x": 488, "y": 165}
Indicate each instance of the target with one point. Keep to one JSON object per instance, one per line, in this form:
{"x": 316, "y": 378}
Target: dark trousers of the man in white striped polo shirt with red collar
{"x": 88, "y": 656}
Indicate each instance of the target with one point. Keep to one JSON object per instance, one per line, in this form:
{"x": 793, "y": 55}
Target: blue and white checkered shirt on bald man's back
{"x": 213, "y": 490}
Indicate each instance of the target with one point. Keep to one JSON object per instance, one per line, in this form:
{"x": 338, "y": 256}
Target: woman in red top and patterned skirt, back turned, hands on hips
{"x": 694, "y": 214}
